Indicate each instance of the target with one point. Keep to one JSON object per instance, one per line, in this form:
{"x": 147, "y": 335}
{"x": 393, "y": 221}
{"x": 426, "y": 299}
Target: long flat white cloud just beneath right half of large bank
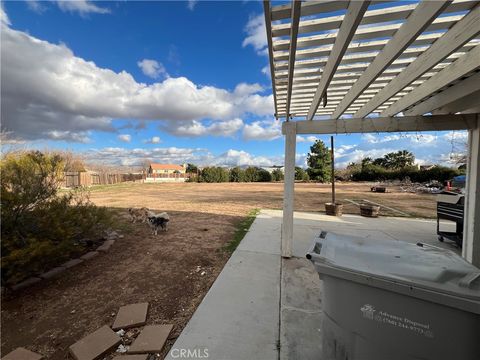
{"x": 197, "y": 128}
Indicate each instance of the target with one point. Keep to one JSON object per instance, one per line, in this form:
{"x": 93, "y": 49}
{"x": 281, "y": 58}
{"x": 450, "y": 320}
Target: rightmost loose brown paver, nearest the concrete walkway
{"x": 151, "y": 339}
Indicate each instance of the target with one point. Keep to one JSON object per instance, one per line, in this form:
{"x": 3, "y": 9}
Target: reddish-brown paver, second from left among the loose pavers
{"x": 95, "y": 345}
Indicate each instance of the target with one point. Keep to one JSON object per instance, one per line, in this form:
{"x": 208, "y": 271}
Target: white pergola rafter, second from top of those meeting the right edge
{"x": 466, "y": 64}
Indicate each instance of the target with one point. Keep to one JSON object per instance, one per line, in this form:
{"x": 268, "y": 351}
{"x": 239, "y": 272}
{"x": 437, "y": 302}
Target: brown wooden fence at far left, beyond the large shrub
{"x": 76, "y": 178}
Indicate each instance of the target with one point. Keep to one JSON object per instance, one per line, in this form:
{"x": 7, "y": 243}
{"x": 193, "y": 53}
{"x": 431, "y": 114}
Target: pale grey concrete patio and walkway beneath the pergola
{"x": 264, "y": 307}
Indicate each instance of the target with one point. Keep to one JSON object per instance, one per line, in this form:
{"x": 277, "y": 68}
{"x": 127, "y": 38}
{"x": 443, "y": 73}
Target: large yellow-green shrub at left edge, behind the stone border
{"x": 40, "y": 228}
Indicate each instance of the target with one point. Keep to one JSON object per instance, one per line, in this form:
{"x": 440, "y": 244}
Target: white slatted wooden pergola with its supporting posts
{"x": 377, "y": 66}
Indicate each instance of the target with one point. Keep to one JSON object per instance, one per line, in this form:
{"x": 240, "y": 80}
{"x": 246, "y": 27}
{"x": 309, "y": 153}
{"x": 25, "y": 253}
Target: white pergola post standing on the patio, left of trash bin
{"x": 290, "y": 131}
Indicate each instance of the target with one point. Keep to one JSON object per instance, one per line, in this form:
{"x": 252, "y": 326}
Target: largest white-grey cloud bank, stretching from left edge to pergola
{"x": 63, "y": 92}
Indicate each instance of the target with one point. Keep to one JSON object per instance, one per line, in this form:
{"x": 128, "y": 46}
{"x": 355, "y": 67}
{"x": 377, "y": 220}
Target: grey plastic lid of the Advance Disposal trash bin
{"x": 423, "y": 270}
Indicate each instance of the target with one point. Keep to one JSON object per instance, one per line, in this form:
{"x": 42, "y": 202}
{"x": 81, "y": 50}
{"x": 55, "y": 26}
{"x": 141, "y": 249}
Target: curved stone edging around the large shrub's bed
{"x": 104, "y": 247}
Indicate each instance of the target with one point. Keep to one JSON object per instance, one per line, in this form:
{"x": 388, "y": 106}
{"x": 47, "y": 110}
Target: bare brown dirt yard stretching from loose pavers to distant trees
{"x": 163, "y": 269}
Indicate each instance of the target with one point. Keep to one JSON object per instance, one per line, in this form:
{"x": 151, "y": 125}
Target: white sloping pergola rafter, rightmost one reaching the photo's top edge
{"x": 418, "y": 21}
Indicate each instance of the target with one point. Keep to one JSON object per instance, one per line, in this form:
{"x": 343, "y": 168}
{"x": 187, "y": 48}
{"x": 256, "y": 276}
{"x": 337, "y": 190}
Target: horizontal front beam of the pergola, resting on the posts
{"x": 387, "y": 124}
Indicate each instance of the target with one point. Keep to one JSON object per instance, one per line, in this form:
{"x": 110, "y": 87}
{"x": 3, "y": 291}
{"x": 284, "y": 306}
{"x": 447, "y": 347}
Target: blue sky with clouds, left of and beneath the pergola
{"x": 125, "y": 82}
